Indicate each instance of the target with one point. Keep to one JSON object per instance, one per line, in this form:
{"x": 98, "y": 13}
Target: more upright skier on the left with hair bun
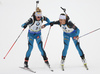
{"x": 34, "y": 32}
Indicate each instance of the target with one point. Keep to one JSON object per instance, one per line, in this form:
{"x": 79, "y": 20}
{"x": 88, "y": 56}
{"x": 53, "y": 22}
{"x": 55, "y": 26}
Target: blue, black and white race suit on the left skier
{"x": 35, "y": 33}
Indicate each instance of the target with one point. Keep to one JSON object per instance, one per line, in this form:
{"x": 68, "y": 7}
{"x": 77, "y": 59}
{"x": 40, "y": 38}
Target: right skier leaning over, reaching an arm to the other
{"x": 69, "y": 31}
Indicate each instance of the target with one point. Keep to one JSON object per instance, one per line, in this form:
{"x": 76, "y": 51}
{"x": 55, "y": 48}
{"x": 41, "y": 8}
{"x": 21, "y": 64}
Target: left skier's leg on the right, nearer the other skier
{"x": 40, "y": 46}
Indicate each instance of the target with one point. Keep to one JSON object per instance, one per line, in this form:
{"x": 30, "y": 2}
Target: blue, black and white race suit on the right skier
{"x": 69, "y": 31}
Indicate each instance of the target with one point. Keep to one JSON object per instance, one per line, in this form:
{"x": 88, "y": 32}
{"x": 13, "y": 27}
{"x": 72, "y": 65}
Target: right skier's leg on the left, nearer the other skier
{"x": 66, "y": 44}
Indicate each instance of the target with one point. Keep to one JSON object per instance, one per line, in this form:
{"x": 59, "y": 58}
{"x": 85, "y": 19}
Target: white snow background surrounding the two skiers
{"x": 84, "y": 13}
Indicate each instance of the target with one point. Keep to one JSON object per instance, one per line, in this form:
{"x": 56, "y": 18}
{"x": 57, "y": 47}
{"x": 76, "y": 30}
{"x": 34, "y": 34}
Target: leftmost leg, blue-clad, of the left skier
{"x": 30, "y": 47}
